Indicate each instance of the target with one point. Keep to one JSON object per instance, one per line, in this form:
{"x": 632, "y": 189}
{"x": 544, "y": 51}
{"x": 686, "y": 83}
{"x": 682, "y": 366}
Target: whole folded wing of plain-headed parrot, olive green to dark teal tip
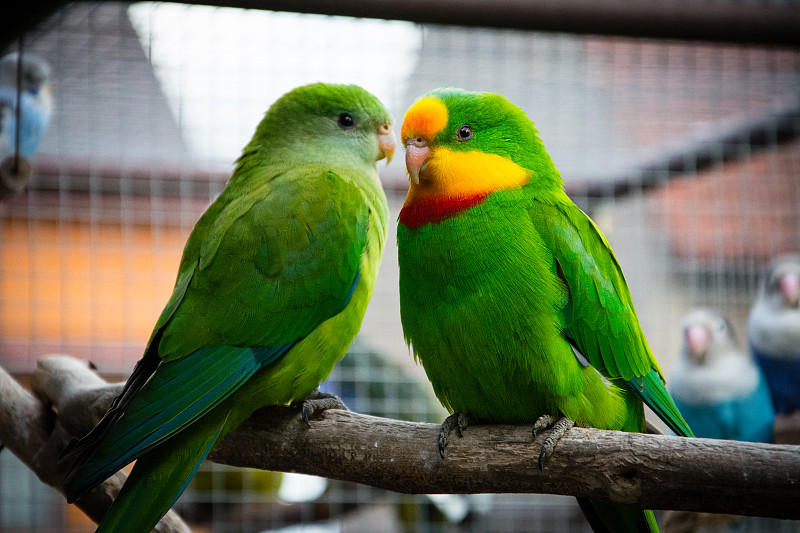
{"x": 259, "y": 272}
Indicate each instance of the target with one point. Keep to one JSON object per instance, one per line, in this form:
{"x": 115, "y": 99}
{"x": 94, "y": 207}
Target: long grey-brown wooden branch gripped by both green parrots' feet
{"x": 657, "y": 472}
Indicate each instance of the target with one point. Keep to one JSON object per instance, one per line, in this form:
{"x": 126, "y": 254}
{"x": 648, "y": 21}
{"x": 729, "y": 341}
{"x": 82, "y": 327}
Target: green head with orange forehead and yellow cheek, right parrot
{"x": 461, "y": 143}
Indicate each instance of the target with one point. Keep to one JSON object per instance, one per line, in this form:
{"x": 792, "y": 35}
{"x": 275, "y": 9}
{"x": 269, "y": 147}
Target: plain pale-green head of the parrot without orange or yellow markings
{"x": 325, "y": 123}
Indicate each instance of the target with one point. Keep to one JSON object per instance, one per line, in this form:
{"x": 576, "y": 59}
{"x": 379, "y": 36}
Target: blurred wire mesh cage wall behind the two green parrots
{"x": 684, "y": 153}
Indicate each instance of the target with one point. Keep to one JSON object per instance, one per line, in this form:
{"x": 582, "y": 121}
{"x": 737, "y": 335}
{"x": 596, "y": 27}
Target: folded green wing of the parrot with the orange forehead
{"x": 600, "y": 318}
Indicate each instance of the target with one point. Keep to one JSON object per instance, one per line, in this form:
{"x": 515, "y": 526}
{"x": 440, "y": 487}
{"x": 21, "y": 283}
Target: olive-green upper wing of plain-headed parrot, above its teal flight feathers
{"x": 269, "y": 270}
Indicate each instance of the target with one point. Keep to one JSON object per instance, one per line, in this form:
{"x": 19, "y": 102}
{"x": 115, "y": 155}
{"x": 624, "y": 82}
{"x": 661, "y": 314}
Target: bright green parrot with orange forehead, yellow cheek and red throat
{"x": 510, "y": 295}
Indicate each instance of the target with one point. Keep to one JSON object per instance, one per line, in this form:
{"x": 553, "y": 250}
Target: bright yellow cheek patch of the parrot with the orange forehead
{"x": 452, "y": 174}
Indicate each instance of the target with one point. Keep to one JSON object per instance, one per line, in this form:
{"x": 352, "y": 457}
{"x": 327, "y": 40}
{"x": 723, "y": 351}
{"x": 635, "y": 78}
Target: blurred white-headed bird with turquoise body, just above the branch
{"x": 716, "y": 385}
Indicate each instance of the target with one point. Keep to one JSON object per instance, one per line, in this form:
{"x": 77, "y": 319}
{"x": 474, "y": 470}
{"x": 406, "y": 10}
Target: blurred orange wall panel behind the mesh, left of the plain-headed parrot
{"x": 84, "y": 281}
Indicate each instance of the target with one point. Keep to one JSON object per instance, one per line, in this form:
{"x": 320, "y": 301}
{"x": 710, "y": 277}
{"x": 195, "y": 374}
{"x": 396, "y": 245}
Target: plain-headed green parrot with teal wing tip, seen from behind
{"x": 272, "y": 288}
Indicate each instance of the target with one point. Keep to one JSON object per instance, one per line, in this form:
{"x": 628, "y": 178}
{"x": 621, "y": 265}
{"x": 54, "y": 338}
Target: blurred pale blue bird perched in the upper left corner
{"x": 36, "y": 103}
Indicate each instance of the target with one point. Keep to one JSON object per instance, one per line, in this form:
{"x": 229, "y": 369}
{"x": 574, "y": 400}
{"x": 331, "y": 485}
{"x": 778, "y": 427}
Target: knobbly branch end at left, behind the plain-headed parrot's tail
{"x": 32, "y": 431}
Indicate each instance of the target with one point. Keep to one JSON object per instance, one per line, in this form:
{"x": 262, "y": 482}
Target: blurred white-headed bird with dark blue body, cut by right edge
{"x": 773, "y": 331}
